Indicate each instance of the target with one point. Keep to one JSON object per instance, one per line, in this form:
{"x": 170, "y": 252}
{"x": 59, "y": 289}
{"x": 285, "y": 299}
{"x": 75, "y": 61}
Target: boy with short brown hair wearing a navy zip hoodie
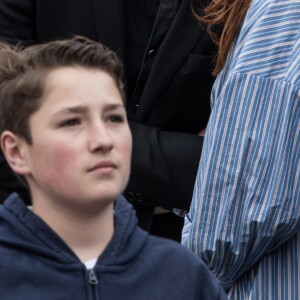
{"x": 64, "y": 132}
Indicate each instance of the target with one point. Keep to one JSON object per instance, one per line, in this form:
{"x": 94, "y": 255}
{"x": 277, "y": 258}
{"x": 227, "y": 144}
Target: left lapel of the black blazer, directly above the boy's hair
{"x": 111, "y": 24}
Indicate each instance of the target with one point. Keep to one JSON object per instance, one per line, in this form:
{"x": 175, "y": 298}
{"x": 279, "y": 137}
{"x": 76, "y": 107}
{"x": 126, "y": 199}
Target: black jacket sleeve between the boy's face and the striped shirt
{"x": 164, "y": 167}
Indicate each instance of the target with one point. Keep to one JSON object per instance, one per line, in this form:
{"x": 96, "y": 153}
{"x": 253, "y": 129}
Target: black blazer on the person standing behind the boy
{"x": 174, "y": 104}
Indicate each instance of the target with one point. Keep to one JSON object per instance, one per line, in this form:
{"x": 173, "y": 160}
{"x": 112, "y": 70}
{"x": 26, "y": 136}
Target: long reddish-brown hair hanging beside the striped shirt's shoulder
{"x": 228, "y": 14}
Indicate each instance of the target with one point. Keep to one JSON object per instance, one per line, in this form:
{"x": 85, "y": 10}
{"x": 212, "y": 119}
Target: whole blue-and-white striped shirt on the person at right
{"x": 244, "y": 220}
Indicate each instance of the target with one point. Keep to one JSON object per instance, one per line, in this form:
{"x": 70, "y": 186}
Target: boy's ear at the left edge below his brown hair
{"x": 14, "y": 149}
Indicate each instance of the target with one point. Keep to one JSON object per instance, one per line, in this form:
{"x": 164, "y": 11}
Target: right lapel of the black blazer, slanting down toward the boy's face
{"x": 182, "y": 36}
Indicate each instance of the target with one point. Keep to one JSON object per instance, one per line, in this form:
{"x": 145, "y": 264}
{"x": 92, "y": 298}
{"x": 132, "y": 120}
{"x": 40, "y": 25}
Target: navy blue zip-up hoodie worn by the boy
{"x": 36, "y": 264}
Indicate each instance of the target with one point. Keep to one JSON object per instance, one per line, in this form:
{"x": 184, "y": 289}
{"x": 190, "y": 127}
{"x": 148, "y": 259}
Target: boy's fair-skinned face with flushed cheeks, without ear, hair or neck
{"x": 81, "y": 146}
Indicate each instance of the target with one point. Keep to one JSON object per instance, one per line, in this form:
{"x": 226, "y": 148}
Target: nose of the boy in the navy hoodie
{"x": 100, "y": 139}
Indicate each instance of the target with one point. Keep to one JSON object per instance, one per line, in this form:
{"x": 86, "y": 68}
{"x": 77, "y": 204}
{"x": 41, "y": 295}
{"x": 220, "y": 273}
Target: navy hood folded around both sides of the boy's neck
{"x": 30, "y": 233}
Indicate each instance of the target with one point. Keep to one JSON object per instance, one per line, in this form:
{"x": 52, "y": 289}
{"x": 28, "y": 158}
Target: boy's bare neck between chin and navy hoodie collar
{"x": 86, "y": 234}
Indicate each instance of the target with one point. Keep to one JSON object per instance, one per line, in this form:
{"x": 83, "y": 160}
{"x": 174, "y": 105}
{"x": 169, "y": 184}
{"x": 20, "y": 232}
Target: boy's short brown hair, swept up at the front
{"x": 23, "y": 73}
